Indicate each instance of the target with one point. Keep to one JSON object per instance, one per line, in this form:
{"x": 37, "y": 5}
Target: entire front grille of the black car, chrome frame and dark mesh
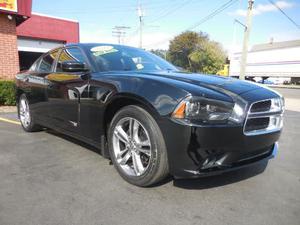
{"x": 264, "y": 117}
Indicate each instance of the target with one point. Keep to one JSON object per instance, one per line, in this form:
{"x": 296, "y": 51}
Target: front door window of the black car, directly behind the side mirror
{"x": 70, "y": 54}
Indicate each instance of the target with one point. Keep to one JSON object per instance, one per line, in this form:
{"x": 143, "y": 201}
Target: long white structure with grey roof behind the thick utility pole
{"x": 274, "y": 59}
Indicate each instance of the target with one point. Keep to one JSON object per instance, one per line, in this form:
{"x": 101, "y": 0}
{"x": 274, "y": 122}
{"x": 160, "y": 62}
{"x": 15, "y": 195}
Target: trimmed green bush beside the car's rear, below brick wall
{"x": 7, "y": 92}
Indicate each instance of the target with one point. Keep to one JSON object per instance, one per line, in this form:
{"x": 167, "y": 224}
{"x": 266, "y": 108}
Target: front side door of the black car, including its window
{"x": 65, "y": 90}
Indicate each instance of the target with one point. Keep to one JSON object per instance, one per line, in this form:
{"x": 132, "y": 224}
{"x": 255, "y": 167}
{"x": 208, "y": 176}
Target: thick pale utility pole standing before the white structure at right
{"x": 246, "y": 39}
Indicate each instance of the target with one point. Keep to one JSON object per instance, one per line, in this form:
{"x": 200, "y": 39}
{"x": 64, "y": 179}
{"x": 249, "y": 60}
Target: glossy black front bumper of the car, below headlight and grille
{"x": 206, "y": 151}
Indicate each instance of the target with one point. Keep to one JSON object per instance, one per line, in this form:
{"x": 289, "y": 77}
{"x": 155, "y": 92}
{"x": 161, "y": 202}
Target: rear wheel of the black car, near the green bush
{"x": 26, "y": 118}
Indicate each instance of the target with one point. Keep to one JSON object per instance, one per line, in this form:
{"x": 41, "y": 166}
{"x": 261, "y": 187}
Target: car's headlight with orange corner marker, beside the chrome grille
{"x": 208, "y": 111}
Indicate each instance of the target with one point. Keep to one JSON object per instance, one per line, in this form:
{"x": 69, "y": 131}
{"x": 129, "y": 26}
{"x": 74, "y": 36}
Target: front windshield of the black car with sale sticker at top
{"x": 121, "y": 58}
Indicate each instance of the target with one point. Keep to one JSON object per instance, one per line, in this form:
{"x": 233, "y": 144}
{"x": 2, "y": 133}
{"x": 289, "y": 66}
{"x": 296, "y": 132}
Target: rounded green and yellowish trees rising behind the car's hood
{"x": 196, "y": 53}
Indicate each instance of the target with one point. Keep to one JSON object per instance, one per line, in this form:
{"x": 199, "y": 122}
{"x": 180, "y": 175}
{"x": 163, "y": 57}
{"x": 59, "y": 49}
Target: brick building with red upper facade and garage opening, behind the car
{"x": 24, "y": 35}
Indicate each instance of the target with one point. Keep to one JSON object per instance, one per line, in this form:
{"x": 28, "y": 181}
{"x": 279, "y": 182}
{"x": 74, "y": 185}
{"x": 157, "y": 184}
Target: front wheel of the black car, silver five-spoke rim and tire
{"x": 137, "y": 147}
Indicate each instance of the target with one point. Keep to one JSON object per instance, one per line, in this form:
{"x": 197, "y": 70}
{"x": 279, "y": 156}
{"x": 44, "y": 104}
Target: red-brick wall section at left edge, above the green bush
{"x": 9, "y": 59}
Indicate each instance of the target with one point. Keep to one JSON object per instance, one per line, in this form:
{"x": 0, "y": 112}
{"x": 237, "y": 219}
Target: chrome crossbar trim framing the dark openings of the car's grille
{"x": 273, "y": 116}
